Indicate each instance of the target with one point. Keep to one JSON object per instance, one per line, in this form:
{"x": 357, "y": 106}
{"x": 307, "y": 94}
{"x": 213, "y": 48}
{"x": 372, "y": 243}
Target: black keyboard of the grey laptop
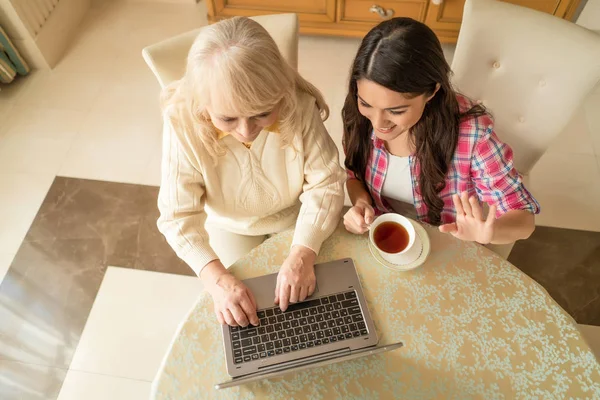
{"x": 303, "y": 325}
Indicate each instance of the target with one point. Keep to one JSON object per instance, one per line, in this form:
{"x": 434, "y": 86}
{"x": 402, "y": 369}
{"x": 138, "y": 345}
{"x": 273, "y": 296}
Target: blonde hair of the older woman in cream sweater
{"x": 236, "y": 65}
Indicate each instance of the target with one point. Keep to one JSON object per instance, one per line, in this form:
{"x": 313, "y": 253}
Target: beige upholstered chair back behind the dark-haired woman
{"x": 532, "y": 70}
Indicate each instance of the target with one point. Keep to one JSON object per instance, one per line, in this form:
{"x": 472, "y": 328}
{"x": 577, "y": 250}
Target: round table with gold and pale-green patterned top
{"x": 473, "y": 326}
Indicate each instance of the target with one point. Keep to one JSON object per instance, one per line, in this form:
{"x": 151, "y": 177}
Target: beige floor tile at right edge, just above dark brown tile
{"x": 567, "y": 187}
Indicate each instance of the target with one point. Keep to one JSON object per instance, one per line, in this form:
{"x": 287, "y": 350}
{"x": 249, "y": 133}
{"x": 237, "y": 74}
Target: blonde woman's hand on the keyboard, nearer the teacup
{"x": 296, "y": 279}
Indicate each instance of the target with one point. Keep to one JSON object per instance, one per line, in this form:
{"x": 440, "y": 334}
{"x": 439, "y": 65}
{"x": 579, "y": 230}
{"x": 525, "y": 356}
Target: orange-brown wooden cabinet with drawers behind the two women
{"x": 356, "y": 17}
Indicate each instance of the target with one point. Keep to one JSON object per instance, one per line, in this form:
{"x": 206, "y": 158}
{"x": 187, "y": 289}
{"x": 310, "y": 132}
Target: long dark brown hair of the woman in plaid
{"x": 405, "y": 56}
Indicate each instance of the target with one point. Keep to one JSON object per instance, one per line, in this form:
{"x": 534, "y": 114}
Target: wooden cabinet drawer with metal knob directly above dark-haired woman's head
{"x": 364, "y": 10}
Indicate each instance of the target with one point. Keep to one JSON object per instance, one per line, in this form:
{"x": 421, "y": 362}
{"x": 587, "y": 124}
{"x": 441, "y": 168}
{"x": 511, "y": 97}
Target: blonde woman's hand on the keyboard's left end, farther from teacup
{"x": 234, "y": 302}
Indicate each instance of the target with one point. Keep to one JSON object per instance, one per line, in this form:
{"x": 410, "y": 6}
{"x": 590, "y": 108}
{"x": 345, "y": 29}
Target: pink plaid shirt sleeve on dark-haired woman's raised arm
{"x": 495, "y": 177}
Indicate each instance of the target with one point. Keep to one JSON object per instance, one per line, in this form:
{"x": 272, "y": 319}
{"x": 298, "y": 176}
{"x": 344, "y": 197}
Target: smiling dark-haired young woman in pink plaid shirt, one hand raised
{"x": 413, "y": 144}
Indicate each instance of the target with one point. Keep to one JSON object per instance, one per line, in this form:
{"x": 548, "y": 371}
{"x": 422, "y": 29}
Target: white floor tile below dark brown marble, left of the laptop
{"x": 132, "y": 322}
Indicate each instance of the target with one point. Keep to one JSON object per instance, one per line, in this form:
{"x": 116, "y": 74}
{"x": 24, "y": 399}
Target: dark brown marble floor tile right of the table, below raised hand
{"x": 567, "y": 264}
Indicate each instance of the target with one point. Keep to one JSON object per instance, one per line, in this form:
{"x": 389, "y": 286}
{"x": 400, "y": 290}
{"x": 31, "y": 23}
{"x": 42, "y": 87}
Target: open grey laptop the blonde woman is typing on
{"x": 332, "y": 325}
